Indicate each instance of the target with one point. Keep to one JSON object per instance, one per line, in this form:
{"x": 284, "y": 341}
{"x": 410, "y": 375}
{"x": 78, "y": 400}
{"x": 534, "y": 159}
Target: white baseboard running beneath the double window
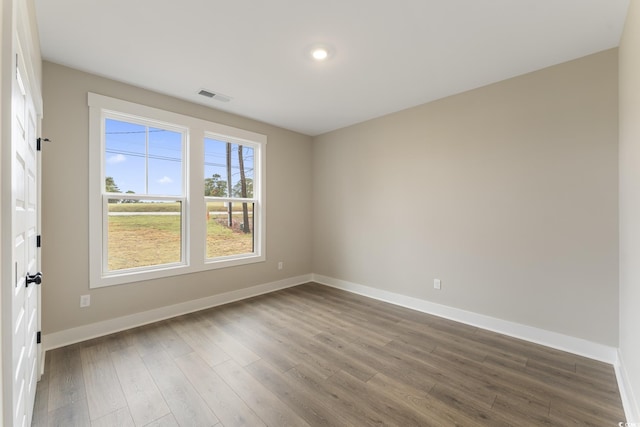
{"x": 94, "y": 330}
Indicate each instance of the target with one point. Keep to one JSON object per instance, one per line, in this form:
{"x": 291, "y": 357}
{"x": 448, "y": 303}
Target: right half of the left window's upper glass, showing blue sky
{"x": 165, "y": 162}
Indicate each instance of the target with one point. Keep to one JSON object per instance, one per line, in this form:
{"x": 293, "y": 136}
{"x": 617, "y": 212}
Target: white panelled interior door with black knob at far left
{"x": 25, "y": 199}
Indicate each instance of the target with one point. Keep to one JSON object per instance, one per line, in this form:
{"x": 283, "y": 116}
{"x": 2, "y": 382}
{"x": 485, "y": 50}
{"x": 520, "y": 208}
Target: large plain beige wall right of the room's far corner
{"x": 507, "y": 193}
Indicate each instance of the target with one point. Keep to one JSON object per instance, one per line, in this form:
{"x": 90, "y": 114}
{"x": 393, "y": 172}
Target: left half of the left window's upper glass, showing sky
{"x": 125, "y": 152}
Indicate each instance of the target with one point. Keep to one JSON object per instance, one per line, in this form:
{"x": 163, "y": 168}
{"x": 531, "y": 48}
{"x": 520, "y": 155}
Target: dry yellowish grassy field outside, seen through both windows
{"x": 143, "y": 239}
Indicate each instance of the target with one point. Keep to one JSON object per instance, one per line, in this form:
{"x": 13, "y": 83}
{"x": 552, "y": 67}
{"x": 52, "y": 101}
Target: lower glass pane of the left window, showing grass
{"x": 142, "y": 234}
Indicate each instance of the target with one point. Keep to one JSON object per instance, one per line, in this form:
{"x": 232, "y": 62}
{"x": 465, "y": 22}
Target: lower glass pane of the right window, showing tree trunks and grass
{"x": 229, "y": 229}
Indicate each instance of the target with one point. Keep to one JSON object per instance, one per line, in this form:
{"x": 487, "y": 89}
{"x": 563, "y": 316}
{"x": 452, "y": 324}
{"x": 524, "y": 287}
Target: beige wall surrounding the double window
{"x": 65, "y": 208}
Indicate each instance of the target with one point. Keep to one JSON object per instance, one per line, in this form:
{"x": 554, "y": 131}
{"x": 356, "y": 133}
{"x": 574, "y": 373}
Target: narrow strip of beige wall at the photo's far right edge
{"x": 630, "y": 203}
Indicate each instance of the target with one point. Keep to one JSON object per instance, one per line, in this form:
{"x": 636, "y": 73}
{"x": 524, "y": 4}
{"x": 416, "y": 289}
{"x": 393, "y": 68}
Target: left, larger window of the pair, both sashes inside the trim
{"x": 144, "y": 226}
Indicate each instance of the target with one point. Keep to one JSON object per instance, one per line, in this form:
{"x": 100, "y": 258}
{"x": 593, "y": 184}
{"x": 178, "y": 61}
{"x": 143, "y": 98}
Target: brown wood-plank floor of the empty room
{"x": 313, "y": 355}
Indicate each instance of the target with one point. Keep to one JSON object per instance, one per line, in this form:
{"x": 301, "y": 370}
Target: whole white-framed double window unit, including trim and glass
{"x": 149, "y": 171}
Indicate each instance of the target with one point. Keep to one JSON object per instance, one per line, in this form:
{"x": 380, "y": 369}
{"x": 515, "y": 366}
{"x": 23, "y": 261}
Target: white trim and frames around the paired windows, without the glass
{"x": 195, "y": 209}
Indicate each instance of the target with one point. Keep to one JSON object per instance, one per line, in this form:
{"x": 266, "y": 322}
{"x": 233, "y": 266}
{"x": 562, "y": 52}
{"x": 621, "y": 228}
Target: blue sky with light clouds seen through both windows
{"x": 159, "y": 171}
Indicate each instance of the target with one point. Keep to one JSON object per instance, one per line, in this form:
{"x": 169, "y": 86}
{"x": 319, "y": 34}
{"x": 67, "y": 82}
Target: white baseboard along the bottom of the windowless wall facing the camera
{"x": 539, "y": 336}
